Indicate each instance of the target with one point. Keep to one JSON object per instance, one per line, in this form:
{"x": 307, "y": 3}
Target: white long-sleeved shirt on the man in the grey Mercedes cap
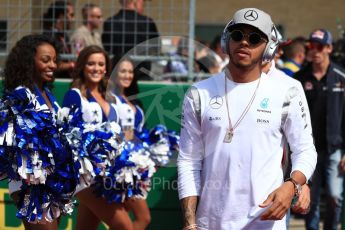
{"x": 232, "y": 179}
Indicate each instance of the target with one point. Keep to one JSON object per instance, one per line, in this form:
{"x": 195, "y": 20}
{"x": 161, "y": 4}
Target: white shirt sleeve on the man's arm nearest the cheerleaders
{"x": 189, "y": 162}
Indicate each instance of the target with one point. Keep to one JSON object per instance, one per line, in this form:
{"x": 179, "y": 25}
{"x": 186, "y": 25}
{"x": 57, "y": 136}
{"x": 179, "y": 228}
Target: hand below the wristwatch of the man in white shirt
{"x": 279, "y": 201}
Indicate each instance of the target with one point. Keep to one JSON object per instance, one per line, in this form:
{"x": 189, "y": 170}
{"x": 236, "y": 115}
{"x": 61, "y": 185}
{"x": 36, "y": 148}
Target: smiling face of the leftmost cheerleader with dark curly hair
{"x": 45, "y": 63}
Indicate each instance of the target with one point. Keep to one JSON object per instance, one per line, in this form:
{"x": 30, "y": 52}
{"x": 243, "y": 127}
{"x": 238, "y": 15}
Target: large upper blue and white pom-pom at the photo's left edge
{"x": 24, "y": 128}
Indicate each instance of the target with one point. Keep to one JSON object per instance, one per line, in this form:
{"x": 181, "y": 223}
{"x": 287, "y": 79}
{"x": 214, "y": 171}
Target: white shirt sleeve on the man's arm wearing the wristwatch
{"x": 298, "y": 131}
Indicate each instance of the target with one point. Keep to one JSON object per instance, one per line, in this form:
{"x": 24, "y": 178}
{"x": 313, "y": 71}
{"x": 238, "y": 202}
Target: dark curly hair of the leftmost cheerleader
{"x": 20, "y": 64}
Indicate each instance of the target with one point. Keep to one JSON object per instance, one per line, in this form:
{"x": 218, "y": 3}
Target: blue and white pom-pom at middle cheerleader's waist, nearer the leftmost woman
{"x": 94, "y": 145}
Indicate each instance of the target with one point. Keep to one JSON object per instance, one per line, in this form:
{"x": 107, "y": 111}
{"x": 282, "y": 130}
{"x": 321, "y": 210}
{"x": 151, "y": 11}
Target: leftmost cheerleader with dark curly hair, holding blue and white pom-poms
{"x": 29, "y": 71}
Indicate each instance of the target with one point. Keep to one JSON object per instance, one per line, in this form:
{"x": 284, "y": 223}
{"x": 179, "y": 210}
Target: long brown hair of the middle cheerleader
{"x": 78, "y": 72}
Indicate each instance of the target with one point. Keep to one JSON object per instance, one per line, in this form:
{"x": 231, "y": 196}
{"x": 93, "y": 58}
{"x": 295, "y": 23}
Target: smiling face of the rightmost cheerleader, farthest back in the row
{"x": 125, "y": 74}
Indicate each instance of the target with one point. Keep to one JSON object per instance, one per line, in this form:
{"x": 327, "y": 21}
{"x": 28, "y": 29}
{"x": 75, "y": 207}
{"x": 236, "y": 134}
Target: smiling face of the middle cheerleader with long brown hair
{"x": 95, "y": 68}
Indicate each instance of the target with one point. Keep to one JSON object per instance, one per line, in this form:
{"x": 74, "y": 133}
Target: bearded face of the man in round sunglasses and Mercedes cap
{"x": 242, "y": 53}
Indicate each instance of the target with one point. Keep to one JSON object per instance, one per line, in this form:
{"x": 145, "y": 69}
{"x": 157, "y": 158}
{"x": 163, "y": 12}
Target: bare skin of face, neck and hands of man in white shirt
{"x": 246, "y": 66}
